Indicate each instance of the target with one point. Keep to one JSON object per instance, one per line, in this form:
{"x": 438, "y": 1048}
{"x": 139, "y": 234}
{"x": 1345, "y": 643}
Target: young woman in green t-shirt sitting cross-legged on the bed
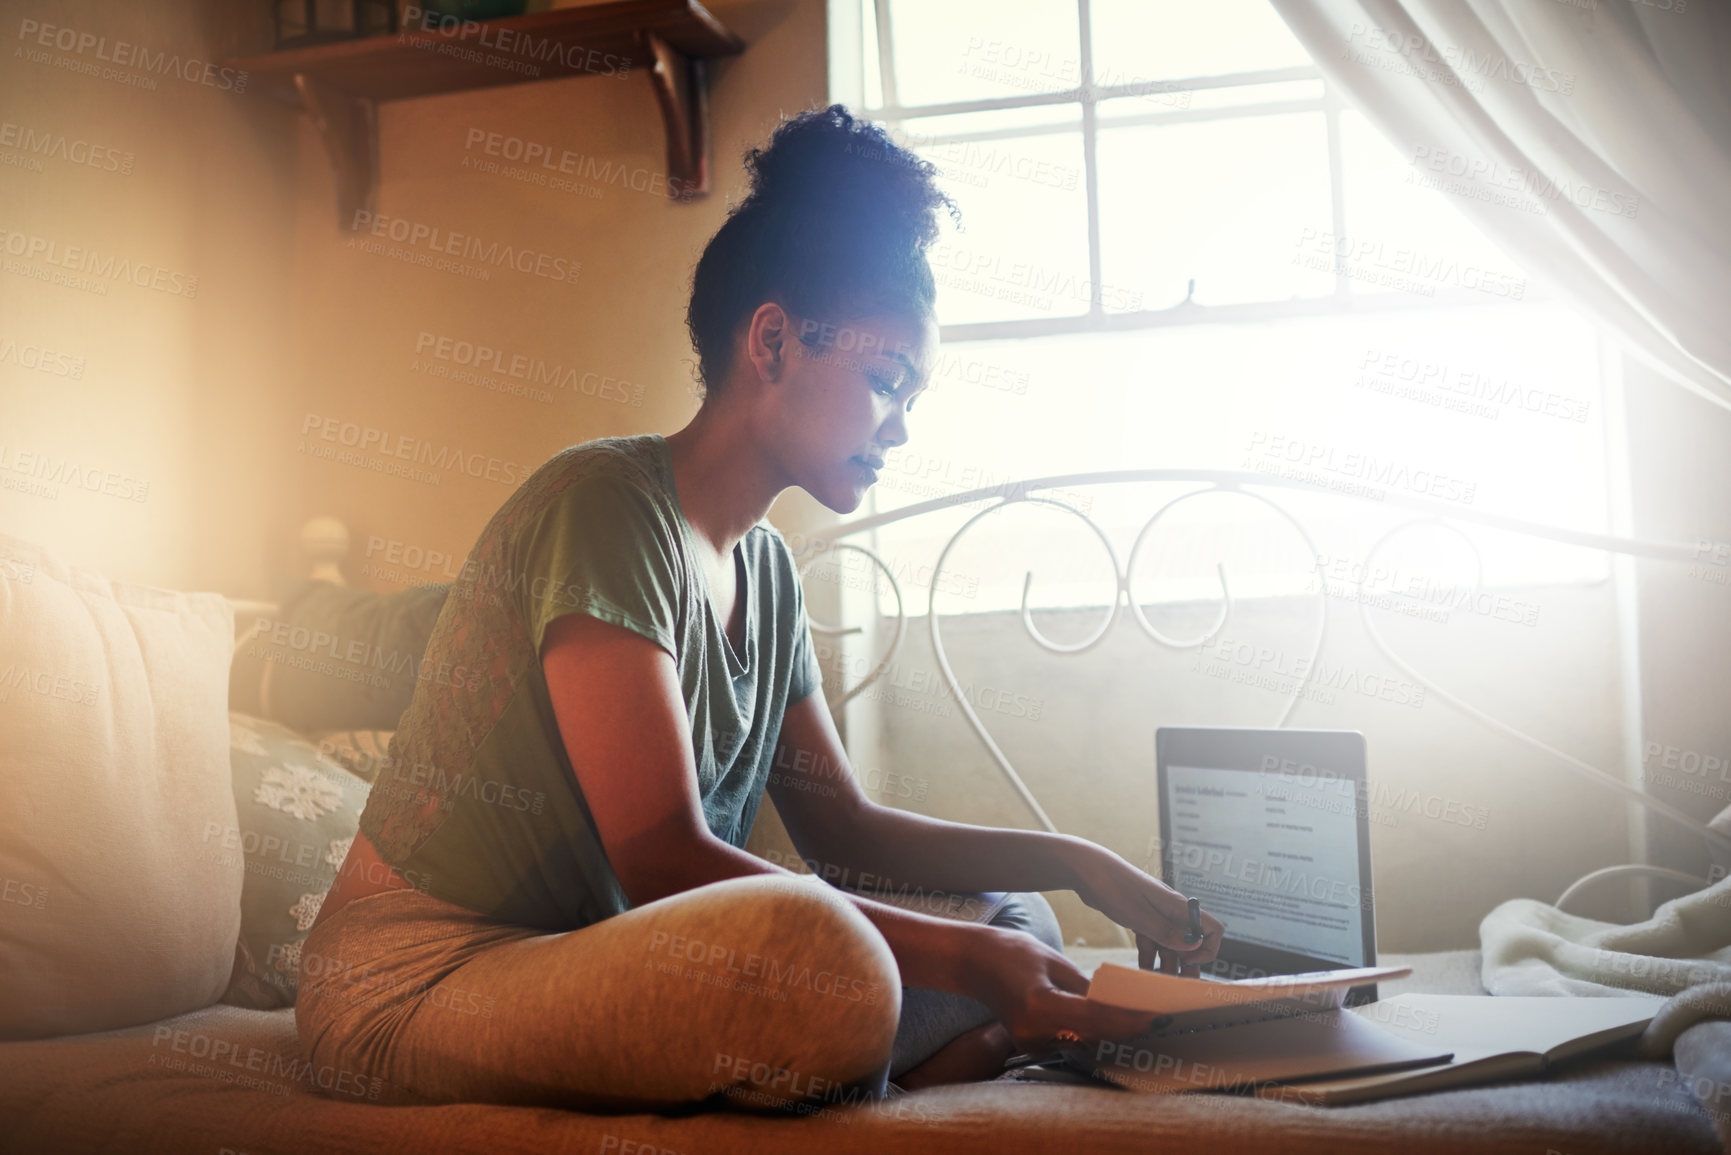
{"x": 548, "y": 900}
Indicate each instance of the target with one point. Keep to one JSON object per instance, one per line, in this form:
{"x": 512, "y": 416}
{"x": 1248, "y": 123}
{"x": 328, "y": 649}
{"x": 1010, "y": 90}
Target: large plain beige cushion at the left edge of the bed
{"x": 113, "y": 765}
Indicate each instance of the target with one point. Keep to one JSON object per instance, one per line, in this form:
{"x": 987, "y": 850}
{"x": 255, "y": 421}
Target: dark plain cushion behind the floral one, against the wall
{"x": 337, "y": 657}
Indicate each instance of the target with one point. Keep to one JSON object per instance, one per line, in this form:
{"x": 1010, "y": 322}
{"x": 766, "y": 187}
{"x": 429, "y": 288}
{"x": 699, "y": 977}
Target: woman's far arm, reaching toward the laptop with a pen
{"x": 851, "y": 841}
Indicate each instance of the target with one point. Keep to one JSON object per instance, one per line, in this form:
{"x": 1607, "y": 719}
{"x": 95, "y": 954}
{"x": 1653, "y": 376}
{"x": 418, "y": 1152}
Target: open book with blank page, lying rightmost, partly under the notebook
{"x": 1491, "y": 1038}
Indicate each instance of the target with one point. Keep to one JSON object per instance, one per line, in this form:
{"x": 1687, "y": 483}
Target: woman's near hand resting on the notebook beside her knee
{"x": 1039, "y": 993}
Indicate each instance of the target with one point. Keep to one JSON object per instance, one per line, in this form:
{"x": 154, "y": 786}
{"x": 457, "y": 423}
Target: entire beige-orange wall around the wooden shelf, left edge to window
{"x": 205, "y": 396}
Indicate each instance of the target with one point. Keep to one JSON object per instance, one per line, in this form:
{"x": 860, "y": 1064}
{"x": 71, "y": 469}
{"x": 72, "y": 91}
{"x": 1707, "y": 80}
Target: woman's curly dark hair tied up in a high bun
{"x": 837, "y": 226}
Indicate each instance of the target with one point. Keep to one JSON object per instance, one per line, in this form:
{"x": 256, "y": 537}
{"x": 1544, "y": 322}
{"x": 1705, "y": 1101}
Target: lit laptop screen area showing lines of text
{"x": 1273, "y": 856}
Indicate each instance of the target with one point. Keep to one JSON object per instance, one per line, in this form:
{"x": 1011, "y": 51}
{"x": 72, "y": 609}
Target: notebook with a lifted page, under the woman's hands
{"x": 1232, "y": 1035}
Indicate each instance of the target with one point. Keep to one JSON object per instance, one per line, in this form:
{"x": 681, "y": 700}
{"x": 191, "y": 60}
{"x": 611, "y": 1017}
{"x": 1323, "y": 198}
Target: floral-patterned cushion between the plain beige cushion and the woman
{"x": 299, "y": 813}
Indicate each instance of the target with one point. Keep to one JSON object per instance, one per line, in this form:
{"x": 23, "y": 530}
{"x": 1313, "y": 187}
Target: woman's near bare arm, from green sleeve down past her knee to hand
{"x": 622, "y": 718}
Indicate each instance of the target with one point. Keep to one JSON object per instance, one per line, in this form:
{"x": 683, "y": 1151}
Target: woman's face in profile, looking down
{"x": 851, "y": 387}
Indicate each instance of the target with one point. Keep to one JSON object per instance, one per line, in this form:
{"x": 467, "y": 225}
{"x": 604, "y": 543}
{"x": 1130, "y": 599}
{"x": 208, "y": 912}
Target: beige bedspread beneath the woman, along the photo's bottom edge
{"x": 148, "y": 1092}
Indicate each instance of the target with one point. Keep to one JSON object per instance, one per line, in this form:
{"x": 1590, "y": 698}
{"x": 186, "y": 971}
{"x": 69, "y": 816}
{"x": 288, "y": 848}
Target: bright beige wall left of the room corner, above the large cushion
{"x": 174, "y": 390}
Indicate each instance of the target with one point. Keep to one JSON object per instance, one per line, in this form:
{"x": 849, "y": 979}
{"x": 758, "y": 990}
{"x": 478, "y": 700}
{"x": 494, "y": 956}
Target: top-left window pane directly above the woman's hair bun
{"x": 984, "y": 49}
